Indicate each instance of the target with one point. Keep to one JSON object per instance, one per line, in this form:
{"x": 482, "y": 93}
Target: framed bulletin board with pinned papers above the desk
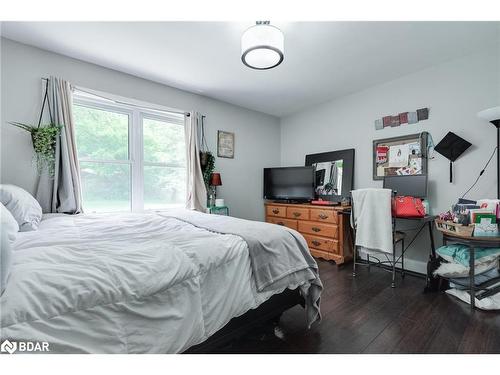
{"x": 400, "y": 156}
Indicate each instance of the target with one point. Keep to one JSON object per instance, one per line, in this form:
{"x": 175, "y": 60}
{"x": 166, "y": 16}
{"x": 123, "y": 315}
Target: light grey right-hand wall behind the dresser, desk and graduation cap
{"x": 454, "y": 91}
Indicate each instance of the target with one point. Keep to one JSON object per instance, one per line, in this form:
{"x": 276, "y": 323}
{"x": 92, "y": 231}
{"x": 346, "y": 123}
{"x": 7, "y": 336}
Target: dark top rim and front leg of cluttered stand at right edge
{"x": 472, "y": 243}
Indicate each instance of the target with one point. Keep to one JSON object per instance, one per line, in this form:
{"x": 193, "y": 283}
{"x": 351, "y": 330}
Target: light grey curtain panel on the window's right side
{"x": 196, "y": 190}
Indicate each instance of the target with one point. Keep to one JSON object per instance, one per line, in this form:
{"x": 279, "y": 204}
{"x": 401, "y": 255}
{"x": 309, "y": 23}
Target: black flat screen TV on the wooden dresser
{"x": 289, "y": 183}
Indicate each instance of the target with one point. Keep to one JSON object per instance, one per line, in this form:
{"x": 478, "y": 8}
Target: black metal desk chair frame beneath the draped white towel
{"x": 397, "y": 237}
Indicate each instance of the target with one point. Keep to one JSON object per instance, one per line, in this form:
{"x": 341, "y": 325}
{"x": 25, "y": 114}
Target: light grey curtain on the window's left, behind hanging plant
{"x": 62, "y": 193}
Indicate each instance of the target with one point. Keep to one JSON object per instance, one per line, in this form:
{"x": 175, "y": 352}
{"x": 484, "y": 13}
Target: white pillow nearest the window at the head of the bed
{"x": 21, "y": 204}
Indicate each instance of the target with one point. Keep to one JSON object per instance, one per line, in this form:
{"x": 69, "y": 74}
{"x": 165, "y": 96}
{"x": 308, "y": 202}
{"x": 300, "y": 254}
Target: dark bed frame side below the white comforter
{"x": 270, "y": 310}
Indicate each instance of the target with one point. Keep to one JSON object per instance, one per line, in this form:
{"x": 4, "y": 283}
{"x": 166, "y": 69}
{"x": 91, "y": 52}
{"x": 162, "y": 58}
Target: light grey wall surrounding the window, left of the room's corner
{"x": 257, "y": 135}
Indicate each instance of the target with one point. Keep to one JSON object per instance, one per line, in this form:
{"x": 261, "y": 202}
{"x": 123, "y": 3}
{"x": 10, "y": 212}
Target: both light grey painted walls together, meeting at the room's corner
{"x": 455, "y": 91}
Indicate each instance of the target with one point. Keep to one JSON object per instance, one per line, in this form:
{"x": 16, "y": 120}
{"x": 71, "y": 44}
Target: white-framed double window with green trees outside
{"x": 131, "y": 158}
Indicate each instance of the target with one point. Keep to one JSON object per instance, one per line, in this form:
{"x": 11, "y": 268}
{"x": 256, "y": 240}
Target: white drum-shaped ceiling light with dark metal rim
{"x": 262, "y": 46}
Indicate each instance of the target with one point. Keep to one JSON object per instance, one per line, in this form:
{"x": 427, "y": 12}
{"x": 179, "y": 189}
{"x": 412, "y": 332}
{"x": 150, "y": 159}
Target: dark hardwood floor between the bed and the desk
{"x": 365, "y": 315}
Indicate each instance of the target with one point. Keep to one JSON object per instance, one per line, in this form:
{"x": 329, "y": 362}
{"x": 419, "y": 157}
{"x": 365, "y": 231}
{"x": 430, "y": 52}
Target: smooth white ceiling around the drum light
{"x": 323, "y": 60}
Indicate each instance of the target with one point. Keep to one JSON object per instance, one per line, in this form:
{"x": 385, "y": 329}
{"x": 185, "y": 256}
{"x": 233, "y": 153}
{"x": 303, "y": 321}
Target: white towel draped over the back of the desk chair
{"x": 373, "y": 220}
